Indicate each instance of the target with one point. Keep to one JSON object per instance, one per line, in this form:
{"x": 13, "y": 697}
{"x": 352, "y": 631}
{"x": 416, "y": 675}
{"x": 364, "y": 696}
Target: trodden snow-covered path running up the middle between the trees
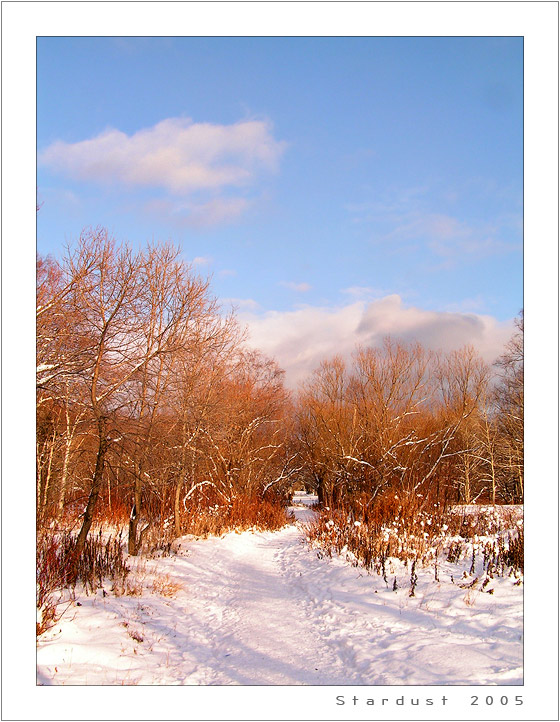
{"x": 257, "y": 624}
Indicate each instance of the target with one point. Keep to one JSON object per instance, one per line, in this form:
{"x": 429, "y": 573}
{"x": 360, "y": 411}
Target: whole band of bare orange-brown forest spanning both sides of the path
{"x": 155, "y": 416}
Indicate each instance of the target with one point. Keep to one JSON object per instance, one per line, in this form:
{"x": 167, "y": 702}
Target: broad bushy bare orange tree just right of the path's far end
{"x": 393, "y": 421}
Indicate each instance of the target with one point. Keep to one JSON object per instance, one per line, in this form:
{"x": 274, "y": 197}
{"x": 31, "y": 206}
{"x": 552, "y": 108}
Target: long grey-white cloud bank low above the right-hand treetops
{"x": 299, "y": 340}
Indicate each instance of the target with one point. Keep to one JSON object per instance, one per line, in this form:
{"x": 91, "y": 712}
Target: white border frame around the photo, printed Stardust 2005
{"x": 537, "y": 22}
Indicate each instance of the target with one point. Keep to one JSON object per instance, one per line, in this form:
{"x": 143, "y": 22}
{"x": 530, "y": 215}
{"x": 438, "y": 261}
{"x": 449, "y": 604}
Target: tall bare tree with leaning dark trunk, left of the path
{"x": 108, "y": 332}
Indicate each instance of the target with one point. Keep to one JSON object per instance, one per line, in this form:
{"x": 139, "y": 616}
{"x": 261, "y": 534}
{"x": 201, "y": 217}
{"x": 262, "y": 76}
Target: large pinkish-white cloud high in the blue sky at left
{"x": 176, "y": 154}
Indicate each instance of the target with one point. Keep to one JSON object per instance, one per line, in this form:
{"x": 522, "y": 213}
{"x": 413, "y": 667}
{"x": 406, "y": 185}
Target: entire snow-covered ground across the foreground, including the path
{"x": 265, "y": 609}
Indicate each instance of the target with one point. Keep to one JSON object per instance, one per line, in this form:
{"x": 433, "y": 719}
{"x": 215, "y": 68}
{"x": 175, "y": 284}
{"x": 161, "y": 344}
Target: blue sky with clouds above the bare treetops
{"x": 332, "y": 187}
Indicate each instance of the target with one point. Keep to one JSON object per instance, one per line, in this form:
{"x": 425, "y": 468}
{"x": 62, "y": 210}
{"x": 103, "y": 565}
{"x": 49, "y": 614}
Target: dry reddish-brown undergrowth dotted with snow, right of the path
{"x": 491, "y": 539}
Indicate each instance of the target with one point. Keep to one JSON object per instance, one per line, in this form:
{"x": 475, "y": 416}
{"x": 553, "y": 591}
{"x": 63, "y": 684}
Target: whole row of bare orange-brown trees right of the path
{"x": 415, "y": 423}
